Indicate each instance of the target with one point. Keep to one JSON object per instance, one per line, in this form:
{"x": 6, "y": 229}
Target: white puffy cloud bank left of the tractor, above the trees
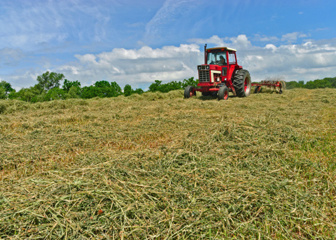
{"x": 136, "y": 66}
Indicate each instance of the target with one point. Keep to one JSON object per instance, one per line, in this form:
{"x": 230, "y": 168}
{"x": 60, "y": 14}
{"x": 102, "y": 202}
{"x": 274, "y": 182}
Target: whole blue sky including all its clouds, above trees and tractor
{"x": 136, "y": 42}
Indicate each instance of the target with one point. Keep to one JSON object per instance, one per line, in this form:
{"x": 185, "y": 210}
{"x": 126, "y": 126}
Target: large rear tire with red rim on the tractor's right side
{"x": 242, "y": 83}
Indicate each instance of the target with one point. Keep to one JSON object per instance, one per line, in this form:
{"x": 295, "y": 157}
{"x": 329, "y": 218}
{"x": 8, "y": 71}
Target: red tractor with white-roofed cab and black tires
{"x": 221, "y": 74}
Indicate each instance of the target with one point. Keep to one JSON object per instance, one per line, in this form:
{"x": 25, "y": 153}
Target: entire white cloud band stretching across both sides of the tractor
{"x": 140, "y": 67}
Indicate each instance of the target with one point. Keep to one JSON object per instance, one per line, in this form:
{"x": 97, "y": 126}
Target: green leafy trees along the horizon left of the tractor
{"x": 48, "y": 87}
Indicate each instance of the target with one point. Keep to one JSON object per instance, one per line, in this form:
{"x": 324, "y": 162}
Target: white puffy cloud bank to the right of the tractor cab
{"x": 307, "y": 61}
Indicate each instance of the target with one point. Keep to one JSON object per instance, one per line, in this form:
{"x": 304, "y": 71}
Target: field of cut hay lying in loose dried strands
{"x": 157, "y": 166}
